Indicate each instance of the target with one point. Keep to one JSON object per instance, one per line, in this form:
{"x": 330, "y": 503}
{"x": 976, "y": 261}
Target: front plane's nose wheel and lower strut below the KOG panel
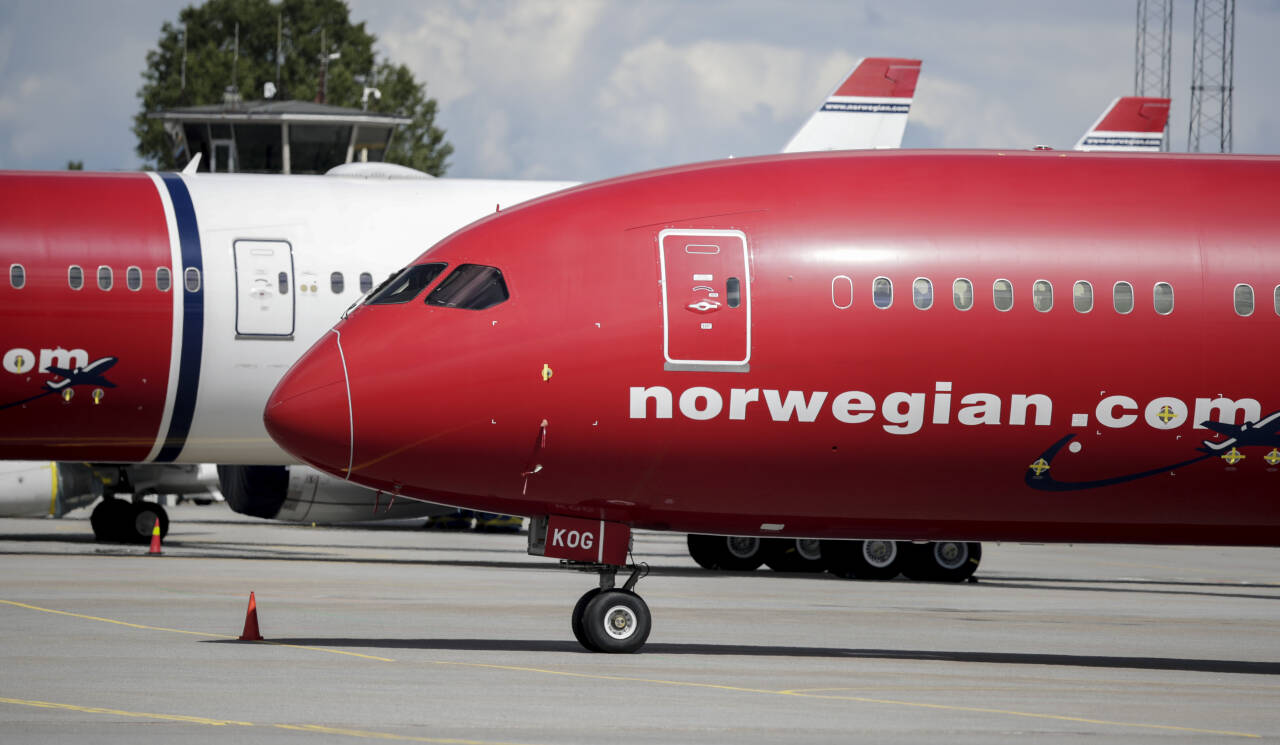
{"x": 612, "y": 620}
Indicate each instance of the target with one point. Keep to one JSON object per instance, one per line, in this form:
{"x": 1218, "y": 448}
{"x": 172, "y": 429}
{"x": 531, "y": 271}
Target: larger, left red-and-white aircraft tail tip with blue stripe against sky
{"x": 867, "y": 111}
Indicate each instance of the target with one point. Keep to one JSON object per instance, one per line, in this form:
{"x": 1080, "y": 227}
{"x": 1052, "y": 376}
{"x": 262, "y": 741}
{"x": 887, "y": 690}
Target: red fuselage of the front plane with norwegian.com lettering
{"x": 977, "y": 346}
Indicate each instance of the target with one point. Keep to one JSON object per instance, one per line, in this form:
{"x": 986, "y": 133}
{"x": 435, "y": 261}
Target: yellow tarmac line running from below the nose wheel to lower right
{"x": 866, "y": 701}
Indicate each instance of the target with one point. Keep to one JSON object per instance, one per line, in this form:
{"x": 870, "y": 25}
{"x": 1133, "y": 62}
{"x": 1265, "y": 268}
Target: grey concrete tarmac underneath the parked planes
{"x": 406, "y": 636}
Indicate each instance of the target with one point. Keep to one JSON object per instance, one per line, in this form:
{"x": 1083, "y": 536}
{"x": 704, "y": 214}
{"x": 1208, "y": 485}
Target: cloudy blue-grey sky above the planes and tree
{"x": 584, "y": 90}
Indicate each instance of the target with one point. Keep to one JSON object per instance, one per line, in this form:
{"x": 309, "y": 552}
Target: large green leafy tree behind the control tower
{"x": 212, "y": 67}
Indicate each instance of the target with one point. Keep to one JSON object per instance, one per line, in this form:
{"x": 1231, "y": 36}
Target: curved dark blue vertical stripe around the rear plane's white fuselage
{"x": 193, "y": 319}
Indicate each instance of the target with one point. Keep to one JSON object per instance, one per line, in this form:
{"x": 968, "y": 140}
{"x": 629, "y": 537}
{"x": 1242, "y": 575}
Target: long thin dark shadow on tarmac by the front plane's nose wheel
{"x": 1168, "y": 664}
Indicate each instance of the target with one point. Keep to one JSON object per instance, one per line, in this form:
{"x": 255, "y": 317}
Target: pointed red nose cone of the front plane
{"x": 309, "y": 414}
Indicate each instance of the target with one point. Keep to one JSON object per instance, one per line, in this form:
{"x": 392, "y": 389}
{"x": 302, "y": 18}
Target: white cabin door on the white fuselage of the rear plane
{"x": 264, "y": 290}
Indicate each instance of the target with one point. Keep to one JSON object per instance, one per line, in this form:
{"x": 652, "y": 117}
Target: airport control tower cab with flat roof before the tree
{"x": 277, "y": 136}
